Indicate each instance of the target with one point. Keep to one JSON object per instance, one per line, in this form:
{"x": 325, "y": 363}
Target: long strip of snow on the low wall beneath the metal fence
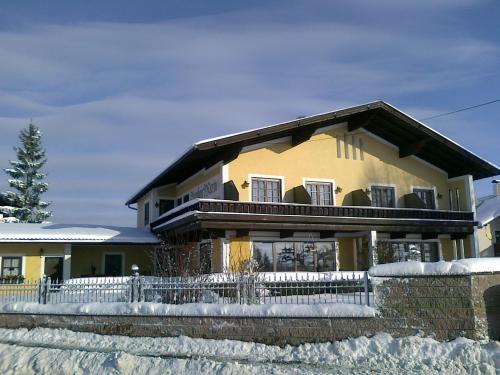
{"x": 327, "y": 310}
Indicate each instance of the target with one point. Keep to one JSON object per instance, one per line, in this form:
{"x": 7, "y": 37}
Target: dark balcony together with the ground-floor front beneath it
{"x": 285, "y": 237}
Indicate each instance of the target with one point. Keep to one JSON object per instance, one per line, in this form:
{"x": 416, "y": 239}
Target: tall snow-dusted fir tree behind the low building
{"x": 27, "y": 179}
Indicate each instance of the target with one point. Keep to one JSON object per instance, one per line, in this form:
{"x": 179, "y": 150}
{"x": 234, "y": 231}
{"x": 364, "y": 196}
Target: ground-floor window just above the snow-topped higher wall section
{"x": 398, "y": 251}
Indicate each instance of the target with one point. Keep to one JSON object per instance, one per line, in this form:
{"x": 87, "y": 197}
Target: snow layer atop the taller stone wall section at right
{"x": 458, "y": 267}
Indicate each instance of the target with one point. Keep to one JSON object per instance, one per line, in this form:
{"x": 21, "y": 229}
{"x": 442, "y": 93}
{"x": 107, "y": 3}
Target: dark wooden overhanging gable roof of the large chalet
{"x": 410, "y": 135}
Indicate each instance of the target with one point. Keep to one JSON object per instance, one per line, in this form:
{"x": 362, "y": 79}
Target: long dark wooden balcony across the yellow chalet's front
{"x": 228, "y": 215}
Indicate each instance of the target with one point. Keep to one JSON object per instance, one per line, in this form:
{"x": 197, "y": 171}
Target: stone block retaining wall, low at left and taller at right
{"x": 445, "y": 307}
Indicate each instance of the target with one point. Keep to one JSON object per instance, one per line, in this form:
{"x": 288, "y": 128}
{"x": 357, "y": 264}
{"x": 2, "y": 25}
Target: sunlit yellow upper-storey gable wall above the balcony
{"x": 317, "y": 158}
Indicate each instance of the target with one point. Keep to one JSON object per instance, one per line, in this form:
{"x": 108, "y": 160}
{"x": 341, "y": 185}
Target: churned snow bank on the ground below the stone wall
{"x": 65, "y": 352}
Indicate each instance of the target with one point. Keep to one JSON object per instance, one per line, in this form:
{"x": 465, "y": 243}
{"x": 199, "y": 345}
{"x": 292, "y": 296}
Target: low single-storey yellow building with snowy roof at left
{"x": 64, "y": 251}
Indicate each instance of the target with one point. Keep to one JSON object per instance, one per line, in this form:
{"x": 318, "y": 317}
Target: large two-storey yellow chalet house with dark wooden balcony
{"x": 337, "y": 191}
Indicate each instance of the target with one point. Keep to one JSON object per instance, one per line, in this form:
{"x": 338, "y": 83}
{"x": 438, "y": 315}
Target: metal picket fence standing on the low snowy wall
{"x": 264, "y": 288}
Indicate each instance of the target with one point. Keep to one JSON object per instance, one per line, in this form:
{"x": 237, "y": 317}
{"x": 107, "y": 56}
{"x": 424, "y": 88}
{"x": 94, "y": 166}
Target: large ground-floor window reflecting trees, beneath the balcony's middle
{"x": 294, "y": 256}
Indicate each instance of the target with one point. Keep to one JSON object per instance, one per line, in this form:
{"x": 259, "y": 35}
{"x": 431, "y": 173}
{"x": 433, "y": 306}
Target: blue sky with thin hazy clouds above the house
{"x": 120, "y": 88}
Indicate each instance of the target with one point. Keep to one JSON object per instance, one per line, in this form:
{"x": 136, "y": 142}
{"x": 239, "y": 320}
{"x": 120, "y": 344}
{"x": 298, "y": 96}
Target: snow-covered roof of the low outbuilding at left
{"x": 86, "y": 233}
